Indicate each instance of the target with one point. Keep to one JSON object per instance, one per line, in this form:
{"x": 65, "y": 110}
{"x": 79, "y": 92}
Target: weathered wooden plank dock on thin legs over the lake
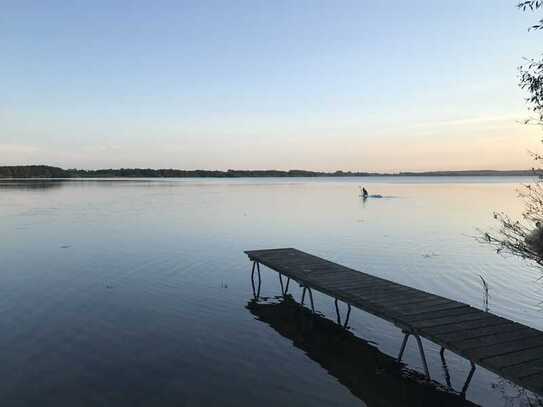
{"x": 509, "y": 349}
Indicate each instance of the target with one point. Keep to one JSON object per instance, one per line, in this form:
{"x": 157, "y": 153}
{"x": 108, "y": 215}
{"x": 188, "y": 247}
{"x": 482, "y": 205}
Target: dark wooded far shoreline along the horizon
{"x": 46, "y": 171}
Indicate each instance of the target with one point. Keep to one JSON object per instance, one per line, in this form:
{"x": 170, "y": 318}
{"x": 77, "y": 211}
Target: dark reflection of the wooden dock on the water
{"x": 375, "y": 378}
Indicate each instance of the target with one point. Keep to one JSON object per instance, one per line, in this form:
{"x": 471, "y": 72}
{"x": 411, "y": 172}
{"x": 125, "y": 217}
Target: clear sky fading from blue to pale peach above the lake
{"x": 318, "y": 85}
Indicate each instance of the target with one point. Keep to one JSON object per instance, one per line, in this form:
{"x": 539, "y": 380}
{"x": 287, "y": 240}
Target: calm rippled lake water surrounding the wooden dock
{"x": 137, "y": 292}
